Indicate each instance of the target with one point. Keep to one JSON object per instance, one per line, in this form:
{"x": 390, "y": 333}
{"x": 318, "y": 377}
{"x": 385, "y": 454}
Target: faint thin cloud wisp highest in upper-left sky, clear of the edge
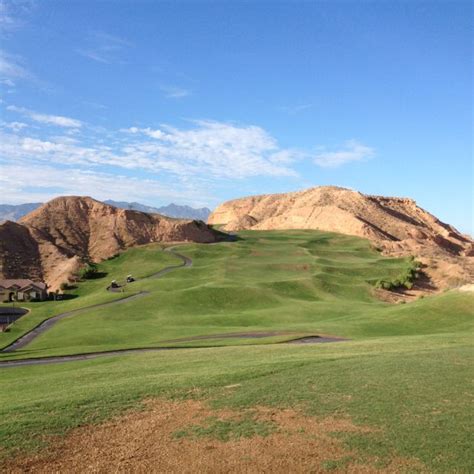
{"x": 103, "y": 47}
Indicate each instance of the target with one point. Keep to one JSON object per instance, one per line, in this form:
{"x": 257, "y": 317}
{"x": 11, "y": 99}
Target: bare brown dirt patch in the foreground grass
{"x": 177, "y": 436}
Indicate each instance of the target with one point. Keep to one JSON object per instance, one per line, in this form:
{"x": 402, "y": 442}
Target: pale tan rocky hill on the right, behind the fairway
{"x": 396, "y": 225}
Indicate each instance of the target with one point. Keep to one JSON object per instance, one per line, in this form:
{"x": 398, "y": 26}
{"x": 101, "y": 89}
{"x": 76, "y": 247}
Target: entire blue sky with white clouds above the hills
{"x": 200, "y": 102}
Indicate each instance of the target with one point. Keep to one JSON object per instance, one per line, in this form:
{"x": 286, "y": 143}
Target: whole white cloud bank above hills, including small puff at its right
{"x": 144, "y": 163}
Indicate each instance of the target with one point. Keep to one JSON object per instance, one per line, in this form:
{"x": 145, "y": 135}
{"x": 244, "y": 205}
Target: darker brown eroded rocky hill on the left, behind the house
{"x": 53, "y": 241}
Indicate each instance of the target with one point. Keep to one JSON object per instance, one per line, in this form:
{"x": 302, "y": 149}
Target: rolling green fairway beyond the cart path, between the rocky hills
{"x": 294, "y": 283}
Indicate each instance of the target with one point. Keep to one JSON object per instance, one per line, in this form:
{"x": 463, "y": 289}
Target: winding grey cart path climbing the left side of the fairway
{"x": 26, "y": 339}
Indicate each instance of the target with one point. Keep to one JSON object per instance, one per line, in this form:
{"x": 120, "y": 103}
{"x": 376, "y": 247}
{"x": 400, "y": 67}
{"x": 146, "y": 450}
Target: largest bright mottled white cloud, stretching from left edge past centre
{"x": 208, "y": 150}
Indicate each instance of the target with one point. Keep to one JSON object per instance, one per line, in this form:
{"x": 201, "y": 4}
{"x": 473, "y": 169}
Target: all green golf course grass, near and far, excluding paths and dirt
{"x": 407, "y": 370}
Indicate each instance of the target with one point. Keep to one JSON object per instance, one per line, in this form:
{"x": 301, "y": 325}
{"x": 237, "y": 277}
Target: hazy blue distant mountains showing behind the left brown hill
{"x": 10, "y": 212}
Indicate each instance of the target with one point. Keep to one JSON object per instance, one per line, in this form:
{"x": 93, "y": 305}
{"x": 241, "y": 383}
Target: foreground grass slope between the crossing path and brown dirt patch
{"x": 415, "y": 392}
